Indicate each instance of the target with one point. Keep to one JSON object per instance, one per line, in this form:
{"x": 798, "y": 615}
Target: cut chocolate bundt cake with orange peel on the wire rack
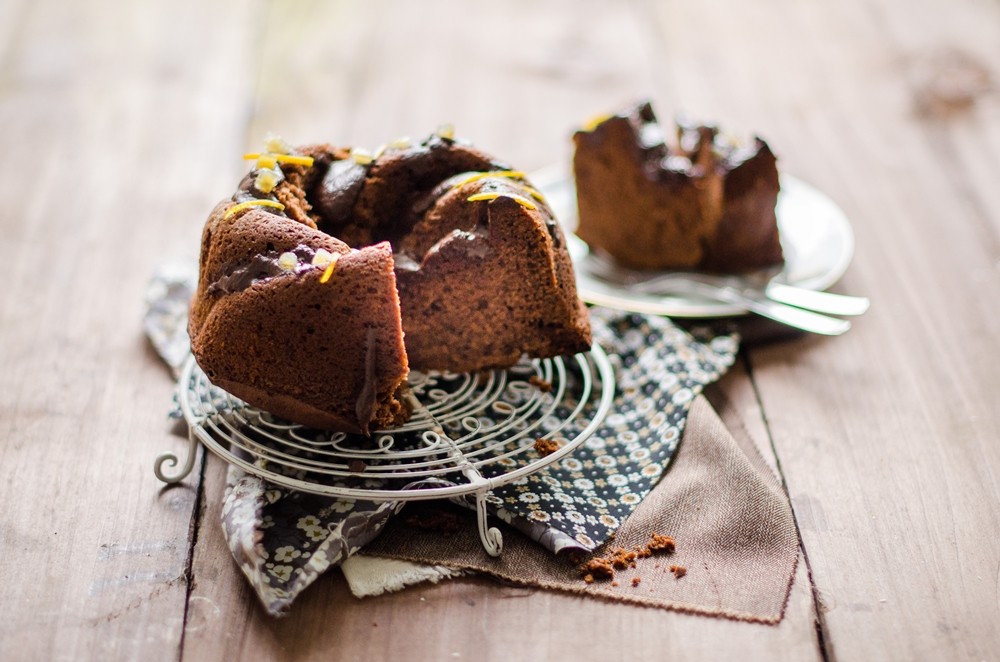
{"x": 332, "y": 271}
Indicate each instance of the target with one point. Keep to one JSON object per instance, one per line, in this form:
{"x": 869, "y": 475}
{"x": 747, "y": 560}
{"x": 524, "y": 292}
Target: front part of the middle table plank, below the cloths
{"x": 471, "y": 618}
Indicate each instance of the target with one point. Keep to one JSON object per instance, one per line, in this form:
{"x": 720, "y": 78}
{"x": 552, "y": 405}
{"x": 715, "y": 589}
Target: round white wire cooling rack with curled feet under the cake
{"x": 468, "y": 434}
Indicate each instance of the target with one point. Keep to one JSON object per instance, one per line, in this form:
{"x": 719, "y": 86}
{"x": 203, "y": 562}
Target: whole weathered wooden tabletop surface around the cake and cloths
{"x": 122, "y": 123}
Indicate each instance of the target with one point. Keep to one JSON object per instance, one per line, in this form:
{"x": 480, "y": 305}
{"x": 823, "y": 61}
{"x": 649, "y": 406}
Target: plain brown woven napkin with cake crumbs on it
{"x": 735, "y": 537}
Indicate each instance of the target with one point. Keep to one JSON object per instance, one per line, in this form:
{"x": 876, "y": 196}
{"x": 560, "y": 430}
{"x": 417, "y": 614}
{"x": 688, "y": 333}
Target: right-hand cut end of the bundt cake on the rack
{"x": 484, "y": 278}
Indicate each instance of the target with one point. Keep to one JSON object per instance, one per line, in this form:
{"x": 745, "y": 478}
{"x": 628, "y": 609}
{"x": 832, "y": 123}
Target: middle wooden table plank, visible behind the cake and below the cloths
{"x": 516, "y": 82}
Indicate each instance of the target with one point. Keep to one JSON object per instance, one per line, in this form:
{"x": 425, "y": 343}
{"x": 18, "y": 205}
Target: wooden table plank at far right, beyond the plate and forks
{"x": 886, "y": 436}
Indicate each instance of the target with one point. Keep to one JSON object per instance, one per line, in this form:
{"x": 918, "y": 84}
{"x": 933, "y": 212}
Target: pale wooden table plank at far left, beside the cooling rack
{"x": 110, "y": 151}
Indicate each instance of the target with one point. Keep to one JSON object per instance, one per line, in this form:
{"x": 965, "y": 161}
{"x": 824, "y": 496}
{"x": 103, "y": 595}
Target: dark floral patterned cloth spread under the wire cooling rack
{"x": 284, "y": 539}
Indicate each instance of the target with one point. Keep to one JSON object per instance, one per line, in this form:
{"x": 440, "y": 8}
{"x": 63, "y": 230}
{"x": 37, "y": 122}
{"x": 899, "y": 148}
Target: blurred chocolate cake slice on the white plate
{"x": 703, "y": 204}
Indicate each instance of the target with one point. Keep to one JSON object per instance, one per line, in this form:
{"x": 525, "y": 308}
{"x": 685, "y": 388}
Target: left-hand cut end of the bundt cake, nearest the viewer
{"x": 299, "y": 324}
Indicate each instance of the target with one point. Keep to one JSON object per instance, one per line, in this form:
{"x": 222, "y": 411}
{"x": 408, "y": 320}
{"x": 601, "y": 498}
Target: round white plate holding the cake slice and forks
{"x": 816, "y": 238}
